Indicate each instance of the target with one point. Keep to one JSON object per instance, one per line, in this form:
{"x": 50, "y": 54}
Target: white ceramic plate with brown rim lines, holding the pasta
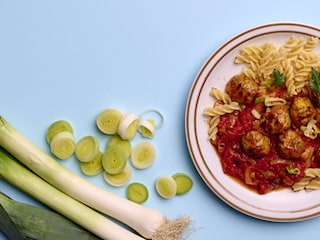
{"x": 284, "y": 205}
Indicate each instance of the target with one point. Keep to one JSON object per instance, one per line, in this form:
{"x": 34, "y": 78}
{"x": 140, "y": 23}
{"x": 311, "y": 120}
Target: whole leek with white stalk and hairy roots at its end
{"x": 148, "y": 222}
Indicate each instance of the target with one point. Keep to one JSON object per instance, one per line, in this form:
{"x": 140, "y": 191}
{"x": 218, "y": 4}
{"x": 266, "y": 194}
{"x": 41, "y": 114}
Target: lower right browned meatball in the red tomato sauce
{"x": 290, "y": 144}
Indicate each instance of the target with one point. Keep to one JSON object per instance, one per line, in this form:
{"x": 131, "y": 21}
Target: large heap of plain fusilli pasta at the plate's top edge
{"x": 294, "y": 59}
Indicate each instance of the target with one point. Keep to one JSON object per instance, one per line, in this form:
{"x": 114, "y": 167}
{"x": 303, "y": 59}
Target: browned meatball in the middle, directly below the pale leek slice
{"x": 277, "y": 119}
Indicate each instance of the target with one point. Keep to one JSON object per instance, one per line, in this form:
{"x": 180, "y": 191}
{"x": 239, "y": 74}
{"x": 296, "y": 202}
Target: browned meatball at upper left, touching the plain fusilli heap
{"x": 242, "y": 89}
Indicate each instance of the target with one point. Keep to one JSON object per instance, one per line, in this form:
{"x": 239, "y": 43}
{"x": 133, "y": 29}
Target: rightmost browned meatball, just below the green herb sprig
{"x": 302, "y": 111}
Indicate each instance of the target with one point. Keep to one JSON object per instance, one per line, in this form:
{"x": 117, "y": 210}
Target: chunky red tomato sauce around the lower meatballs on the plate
{"x": 263, "y": 174}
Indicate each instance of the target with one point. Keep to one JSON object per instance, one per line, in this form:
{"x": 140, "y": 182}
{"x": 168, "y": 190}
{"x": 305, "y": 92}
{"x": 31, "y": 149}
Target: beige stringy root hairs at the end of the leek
{"x": 175, "y": 229}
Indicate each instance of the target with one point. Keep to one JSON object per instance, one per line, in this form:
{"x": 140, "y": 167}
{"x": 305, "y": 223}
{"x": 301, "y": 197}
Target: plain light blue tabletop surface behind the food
{"x": 72, "y": 59}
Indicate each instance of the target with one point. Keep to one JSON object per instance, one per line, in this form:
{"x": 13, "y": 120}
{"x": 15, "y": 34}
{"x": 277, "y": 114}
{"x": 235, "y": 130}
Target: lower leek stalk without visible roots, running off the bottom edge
{"x": 32, "y": 184}
